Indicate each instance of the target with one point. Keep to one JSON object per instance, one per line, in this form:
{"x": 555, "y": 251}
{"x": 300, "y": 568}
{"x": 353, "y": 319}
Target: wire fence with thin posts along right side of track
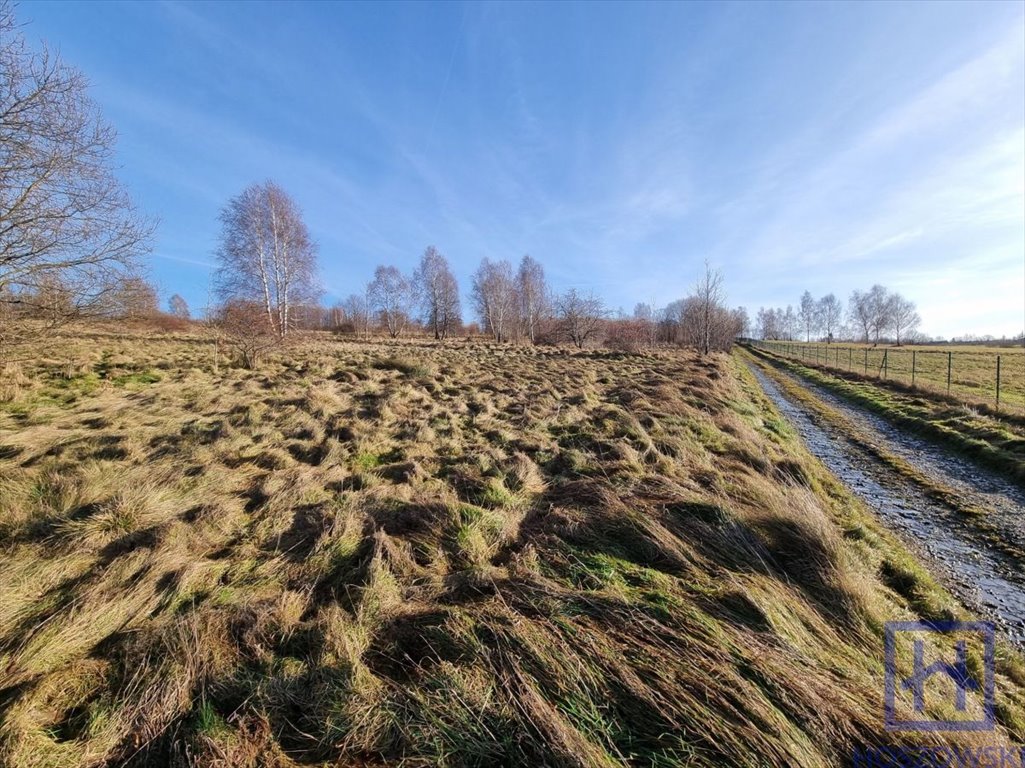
{"x": 988, "y": 377}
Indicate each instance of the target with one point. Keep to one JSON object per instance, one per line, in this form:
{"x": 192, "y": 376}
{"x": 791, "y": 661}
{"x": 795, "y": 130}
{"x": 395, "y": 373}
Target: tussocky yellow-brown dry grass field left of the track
{"x": 460, "y": 554}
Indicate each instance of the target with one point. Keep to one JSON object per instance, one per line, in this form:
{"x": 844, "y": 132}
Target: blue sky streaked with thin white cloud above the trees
{"x": 795, "y": 146}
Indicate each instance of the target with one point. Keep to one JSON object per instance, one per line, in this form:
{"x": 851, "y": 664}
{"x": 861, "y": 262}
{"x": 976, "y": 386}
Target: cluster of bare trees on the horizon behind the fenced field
{"x": 874, "y": 316}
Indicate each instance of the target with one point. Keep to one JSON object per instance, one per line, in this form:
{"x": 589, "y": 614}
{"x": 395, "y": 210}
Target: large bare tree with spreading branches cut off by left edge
{"x": 65, "y": 220}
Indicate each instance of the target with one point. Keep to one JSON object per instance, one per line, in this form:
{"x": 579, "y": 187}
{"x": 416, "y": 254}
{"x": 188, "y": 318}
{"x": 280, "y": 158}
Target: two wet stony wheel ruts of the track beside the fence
{"x": 992, "y": 585}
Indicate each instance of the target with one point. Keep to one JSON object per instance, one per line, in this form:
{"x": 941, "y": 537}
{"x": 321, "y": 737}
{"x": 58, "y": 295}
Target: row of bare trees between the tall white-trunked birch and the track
{"x": 516, "y": 305}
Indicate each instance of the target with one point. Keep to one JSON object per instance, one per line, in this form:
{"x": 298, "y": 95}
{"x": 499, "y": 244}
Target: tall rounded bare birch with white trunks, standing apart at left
{"x": 267, "y": 255}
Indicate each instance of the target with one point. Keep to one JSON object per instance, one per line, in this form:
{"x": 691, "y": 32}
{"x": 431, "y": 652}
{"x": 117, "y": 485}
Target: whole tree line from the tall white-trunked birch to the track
{"x": 266, "y": 291}
